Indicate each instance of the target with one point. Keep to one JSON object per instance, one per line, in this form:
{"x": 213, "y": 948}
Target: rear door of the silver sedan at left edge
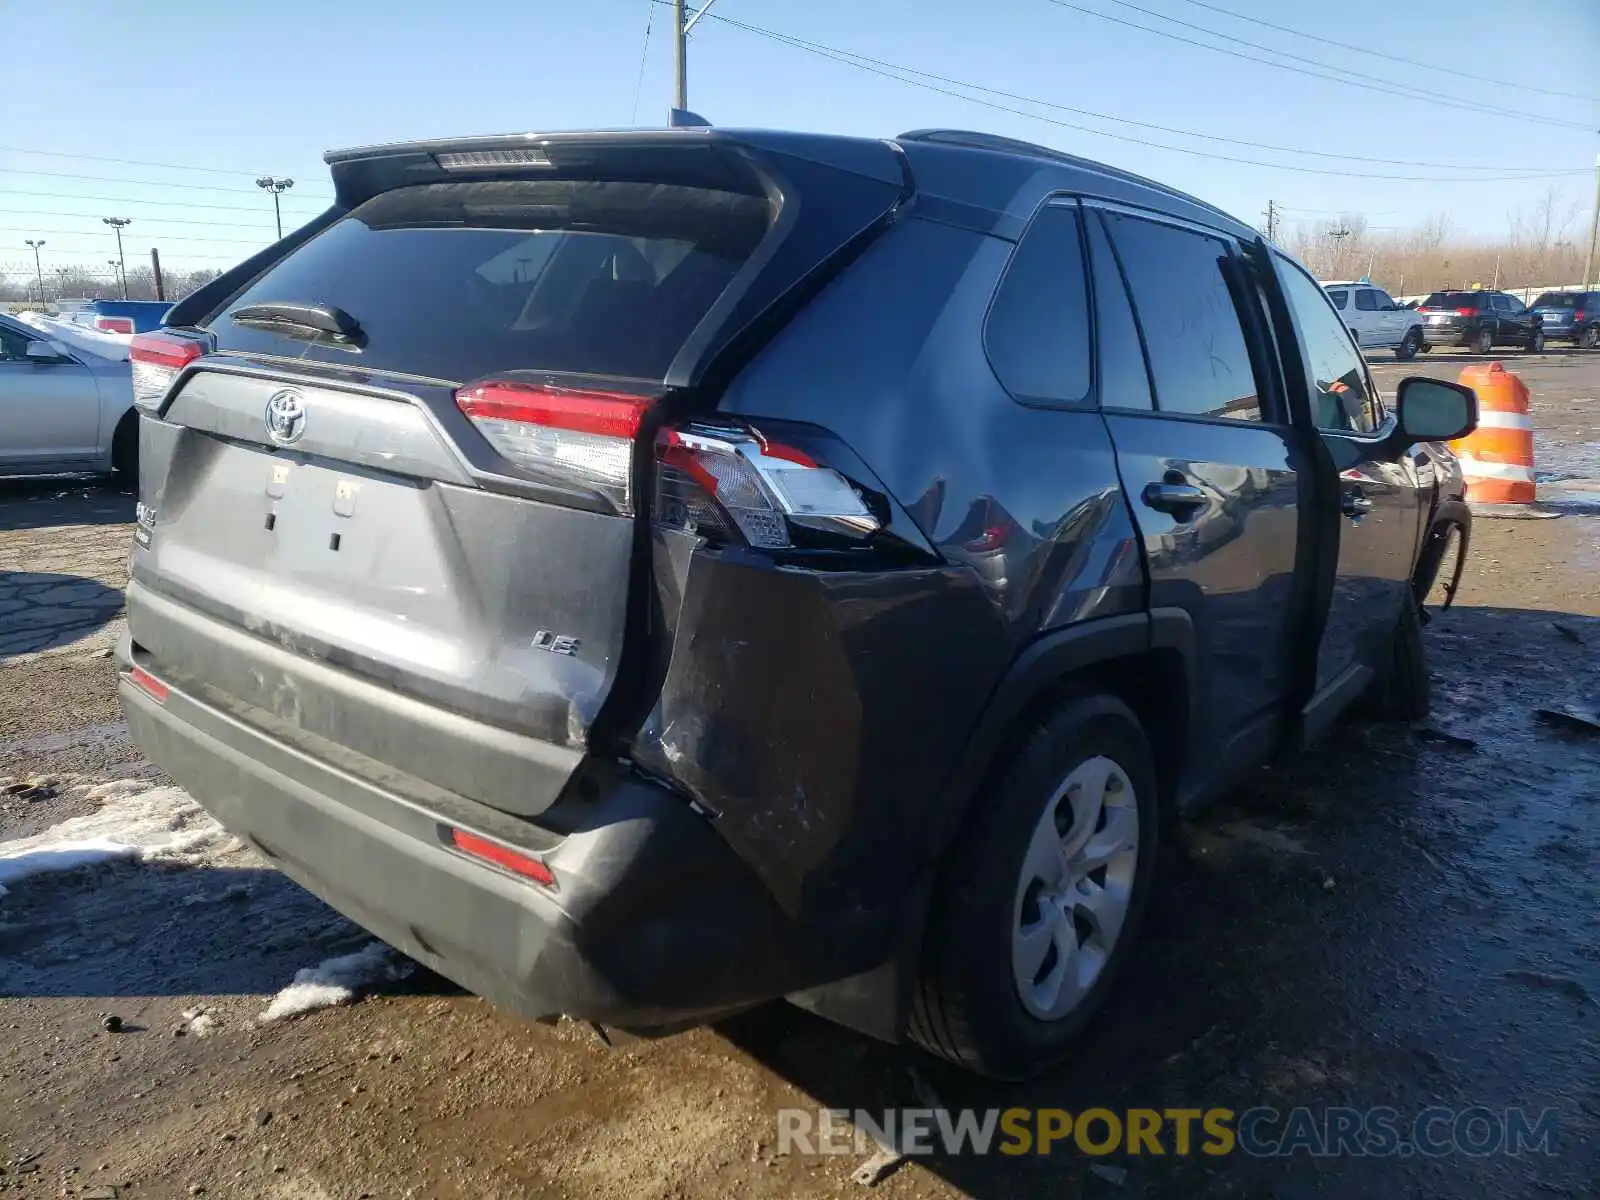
{"x": 49, "y": 407}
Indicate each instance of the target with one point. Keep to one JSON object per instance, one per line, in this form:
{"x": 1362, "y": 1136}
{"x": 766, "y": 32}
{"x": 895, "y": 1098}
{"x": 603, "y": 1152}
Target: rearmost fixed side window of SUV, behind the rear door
{"x": 1039, "y": 324}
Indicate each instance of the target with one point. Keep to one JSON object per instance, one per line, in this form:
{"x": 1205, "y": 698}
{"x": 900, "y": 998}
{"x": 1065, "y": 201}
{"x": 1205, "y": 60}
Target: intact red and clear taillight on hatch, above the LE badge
{"x": 570, "y": 434}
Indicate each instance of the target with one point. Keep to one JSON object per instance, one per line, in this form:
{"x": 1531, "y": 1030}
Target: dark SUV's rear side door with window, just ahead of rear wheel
{"x": 1212, "y": 471}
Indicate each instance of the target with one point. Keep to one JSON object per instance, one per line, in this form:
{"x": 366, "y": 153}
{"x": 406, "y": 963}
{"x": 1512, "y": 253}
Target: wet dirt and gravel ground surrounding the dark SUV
{"x": 1401, "y": 918}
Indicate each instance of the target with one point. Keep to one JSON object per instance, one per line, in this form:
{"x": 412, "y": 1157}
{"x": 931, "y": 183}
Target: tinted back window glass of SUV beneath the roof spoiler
{"x": 468, "y": 279}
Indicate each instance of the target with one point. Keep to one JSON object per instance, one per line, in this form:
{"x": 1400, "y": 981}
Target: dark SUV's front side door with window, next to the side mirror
{"x": 1380, "y": 505}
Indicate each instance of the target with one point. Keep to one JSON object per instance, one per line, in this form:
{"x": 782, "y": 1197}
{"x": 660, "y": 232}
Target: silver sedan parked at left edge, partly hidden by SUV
{"x": 63, "y": 407}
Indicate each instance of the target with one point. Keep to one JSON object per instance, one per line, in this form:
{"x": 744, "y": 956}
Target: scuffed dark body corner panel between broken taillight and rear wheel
{"x": 817, "y": 716}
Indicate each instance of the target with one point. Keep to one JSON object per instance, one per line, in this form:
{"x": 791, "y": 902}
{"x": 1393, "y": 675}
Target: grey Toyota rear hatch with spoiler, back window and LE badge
{"x": 393, "y": 476}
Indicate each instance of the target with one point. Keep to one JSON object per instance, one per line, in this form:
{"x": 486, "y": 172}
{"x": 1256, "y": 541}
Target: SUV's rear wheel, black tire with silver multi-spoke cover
{"x": 1006, "y": 878}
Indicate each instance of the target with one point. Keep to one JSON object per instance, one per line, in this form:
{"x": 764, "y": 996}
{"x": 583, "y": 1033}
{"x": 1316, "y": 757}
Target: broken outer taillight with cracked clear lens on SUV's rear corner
{"x": 727, "y": 481}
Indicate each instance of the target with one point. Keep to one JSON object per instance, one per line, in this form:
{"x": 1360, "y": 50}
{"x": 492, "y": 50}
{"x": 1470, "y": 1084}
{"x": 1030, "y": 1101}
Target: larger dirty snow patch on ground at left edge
{"x": 135, "y": 822}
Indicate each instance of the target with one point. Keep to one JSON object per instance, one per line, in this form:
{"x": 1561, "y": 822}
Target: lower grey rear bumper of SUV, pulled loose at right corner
{"x": 654, "y": 921}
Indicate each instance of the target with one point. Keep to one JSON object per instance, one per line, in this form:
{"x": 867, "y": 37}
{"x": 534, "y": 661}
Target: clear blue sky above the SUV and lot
{"x": 199, "y": 100}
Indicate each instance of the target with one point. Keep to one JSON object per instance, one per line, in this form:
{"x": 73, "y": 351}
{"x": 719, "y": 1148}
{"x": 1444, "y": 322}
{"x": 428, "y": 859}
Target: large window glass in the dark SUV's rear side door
{"x": 1199, "y": 358}
